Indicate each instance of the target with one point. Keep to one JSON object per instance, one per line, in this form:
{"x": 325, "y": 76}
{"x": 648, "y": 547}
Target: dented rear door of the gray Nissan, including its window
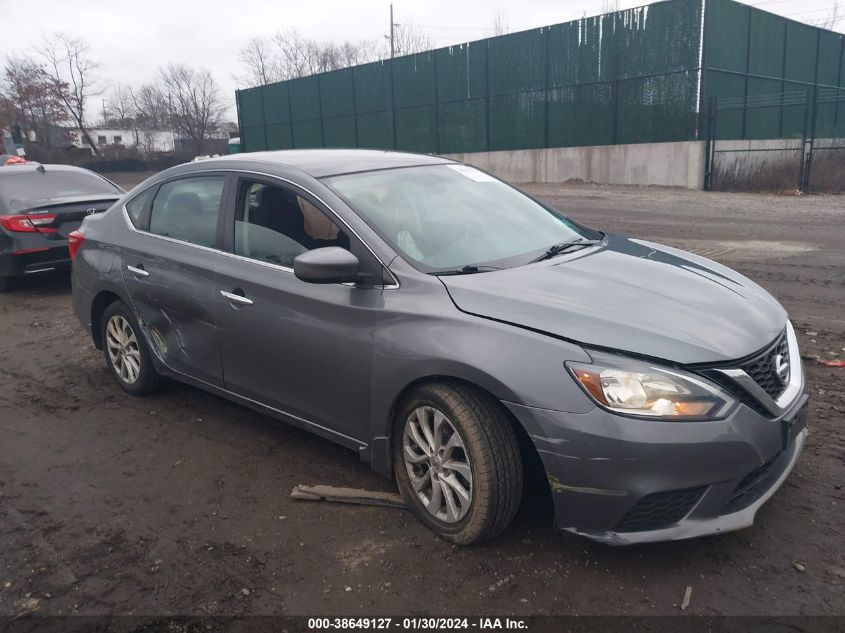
{"x": 168, "y": 267}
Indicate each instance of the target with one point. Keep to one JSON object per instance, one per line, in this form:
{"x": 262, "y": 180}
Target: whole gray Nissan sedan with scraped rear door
{"x": 456, "y": 333}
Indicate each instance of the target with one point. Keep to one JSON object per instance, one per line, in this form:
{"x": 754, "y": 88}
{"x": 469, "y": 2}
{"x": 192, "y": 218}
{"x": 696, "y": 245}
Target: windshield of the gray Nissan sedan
{"x": 444, "y": 217}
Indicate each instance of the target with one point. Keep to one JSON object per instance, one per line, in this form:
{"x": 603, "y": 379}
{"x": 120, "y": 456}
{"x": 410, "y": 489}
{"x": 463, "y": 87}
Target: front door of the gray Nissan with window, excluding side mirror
{"x": 304, "y": 349}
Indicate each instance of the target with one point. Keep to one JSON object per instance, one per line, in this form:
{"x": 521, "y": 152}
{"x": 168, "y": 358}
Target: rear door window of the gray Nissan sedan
{"x": 188, "y": 209}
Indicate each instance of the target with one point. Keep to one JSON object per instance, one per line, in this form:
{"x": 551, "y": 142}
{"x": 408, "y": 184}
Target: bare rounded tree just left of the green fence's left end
{"x": 194, "y": 99}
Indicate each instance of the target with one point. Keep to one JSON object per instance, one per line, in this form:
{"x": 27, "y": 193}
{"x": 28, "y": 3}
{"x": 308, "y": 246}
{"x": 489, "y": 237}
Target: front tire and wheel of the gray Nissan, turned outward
{"x": 486, "y": 448}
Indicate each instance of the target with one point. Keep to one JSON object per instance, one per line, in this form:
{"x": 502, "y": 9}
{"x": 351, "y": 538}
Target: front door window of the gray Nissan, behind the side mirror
{"x": 274, "y": 224}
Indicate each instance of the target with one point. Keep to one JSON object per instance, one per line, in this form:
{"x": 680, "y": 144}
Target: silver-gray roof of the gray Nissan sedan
{"x": 320, "y": 163}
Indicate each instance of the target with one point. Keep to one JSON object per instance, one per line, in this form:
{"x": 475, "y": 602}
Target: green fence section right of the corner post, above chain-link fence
{"x": 752, "y": 56}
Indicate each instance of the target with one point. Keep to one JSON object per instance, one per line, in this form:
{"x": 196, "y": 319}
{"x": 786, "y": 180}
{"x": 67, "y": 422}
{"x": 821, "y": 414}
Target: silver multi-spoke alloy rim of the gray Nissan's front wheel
{"x": 438, "y": 464}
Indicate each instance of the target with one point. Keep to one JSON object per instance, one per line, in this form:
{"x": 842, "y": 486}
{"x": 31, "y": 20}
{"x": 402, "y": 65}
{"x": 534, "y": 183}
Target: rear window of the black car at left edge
{"x": 23, "y": 190}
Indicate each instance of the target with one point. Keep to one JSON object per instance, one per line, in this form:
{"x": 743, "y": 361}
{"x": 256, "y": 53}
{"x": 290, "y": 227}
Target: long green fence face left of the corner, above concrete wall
{"x": 624, "y": 77}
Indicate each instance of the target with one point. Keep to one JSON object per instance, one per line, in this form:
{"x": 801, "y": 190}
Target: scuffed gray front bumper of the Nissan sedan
{"x": 622, "y": 481}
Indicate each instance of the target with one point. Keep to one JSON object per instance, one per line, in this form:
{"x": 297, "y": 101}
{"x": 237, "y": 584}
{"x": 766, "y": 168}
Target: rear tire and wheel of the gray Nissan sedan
{"x": 126, "y": 351}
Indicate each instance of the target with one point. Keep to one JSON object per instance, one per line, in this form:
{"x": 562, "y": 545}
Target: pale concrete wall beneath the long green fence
{"x": 679, "y": 164}
